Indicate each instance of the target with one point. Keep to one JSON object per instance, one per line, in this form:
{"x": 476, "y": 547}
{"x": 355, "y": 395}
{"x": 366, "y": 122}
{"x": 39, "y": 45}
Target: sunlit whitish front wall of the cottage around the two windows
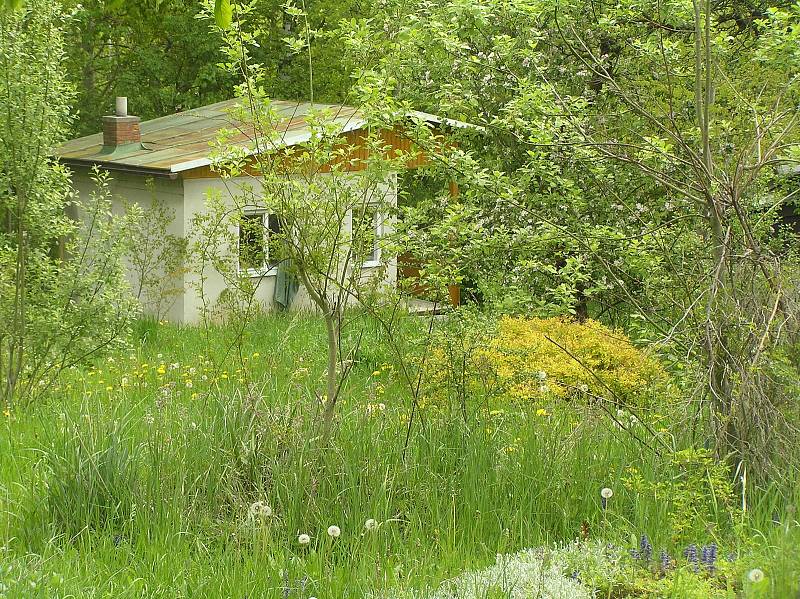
{"x": 196, "y": 192}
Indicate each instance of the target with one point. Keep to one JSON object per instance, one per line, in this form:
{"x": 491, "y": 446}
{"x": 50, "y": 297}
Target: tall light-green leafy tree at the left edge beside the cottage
{"x": 62, "y": 290}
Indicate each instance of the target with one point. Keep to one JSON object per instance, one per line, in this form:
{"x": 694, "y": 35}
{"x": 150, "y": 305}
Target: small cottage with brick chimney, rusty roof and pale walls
{"x": 169, "y": 158}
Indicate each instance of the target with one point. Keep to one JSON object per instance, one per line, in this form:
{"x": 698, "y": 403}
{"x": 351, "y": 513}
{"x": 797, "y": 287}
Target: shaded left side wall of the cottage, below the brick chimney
{"x": 133, "y": 188}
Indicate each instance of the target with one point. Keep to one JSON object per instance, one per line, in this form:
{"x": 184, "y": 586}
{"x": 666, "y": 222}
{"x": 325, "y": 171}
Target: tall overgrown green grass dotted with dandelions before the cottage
{"x": 136, "y": 477}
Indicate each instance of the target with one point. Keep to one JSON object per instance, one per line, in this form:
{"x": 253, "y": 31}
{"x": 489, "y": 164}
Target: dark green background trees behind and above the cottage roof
{"x": 166, "y": 59}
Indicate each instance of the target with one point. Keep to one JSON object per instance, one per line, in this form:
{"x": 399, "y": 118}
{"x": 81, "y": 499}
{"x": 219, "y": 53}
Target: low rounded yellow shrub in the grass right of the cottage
{"x": 534, "y": 358}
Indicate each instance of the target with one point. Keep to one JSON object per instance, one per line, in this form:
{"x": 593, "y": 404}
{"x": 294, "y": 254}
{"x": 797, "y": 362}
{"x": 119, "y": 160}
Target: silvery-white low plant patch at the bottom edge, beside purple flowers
{"x": 519, "y": 576}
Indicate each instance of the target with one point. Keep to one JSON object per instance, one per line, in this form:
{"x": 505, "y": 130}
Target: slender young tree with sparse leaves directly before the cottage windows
{"x": 327, "y": 196}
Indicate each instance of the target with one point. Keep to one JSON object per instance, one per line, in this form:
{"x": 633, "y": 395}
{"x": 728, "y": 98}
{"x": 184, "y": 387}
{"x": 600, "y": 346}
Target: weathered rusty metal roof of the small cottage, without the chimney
{"x": 183, "y": 141}
